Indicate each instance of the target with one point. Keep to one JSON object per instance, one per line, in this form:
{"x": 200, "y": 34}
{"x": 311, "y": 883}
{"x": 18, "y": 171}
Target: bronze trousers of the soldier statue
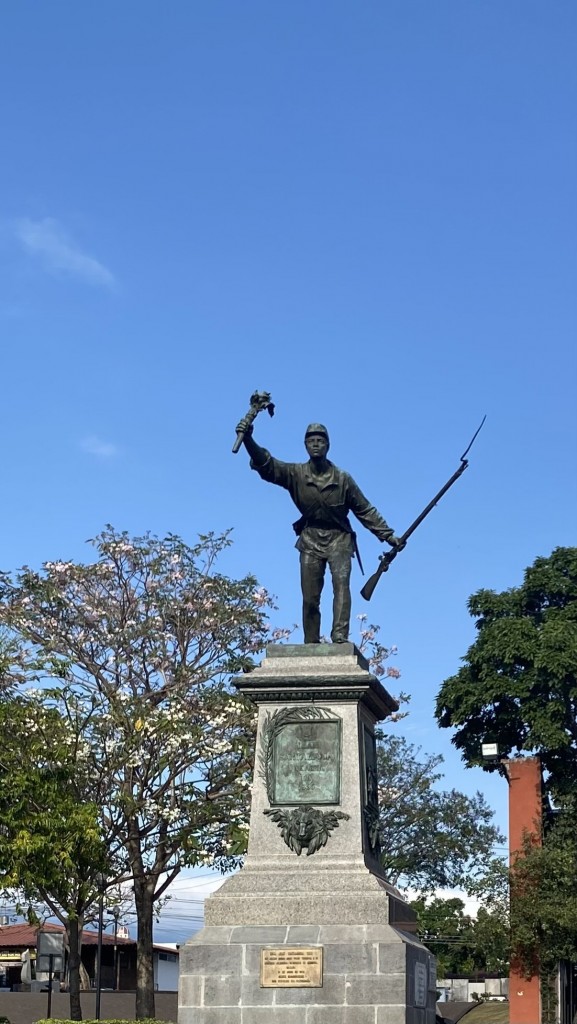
{"x": 312, "y": 580}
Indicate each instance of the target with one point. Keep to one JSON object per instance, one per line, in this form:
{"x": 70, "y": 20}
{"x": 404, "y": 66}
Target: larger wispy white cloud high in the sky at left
{"x": 48, "y": 241}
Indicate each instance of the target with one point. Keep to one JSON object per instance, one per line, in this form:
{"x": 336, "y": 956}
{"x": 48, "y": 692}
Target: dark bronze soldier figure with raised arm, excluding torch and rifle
{"x": 324, "y": 495}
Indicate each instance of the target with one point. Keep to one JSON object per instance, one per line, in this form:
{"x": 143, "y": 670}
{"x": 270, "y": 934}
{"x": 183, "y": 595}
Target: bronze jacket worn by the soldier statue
{"x": 324, "y": 502}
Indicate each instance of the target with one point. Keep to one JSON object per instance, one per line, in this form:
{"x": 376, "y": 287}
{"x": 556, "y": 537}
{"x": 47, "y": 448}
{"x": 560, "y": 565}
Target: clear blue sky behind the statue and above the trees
{"x": 368, "y": 210}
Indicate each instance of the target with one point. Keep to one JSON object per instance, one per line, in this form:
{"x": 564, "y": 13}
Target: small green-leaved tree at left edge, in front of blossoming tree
{"x": 52, "y": 848}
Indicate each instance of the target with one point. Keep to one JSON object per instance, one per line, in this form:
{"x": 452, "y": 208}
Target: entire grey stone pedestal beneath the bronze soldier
{"x": 310, "y": 931}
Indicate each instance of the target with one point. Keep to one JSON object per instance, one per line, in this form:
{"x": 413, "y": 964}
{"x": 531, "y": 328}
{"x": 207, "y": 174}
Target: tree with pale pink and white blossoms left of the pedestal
{"x": 138, "y": 649}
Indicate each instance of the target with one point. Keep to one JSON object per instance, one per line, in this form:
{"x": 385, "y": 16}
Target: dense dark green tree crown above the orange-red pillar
{"x": 518, "y": 687}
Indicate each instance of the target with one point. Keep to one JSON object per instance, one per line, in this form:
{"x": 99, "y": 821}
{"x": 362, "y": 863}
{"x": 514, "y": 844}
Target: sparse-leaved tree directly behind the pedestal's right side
{"x": 431, "y": 838}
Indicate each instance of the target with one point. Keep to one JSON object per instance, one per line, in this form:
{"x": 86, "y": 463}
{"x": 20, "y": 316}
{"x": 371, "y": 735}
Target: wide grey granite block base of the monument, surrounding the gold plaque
{"x": 373, "y": 974}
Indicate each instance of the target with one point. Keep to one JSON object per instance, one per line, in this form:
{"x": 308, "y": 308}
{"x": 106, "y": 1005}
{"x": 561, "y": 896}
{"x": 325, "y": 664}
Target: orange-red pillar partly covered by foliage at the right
{"x": 525, "y": 817}
